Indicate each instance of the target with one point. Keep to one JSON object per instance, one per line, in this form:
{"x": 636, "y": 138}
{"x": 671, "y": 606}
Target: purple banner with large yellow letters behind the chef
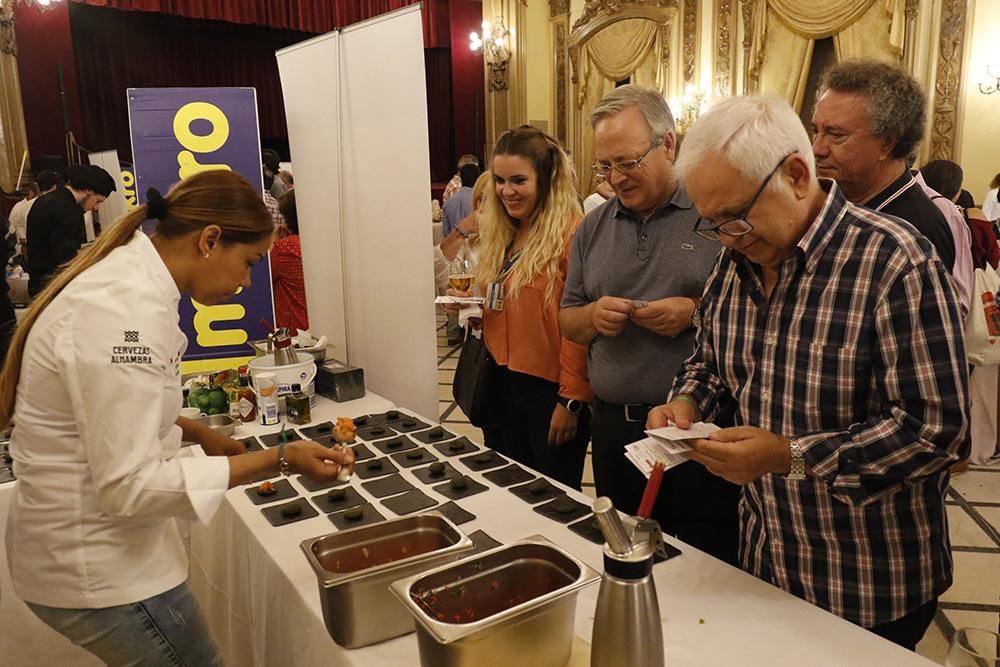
{"x": 177, "y": 132}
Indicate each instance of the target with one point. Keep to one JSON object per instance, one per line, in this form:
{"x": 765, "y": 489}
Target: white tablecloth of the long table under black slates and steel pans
{"x": 262, "y": 600}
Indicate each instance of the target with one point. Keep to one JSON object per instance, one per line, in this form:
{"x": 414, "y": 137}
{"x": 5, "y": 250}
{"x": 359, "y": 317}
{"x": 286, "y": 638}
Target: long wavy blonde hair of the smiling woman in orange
{"x": 556, "y": 212}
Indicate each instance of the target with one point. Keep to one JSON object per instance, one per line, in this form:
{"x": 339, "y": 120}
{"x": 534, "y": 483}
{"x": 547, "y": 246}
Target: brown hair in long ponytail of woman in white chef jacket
{"x": 217, "y": 197}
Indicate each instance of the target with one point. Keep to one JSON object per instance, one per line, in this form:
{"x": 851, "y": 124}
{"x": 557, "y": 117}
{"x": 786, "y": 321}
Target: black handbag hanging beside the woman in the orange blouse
{"x": 474, "y": 386}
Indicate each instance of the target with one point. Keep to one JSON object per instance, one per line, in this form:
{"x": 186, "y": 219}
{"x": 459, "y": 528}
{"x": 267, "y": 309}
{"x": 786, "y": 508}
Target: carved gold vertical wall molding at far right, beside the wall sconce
{"x": 948, "y": 79}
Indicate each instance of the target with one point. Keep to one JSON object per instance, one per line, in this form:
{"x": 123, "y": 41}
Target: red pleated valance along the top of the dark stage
{"x": 316, "y": 16}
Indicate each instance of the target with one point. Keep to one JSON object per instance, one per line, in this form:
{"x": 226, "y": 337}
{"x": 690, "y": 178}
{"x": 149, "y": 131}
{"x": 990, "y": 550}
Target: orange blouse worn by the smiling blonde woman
{"x": 525, "y": 335}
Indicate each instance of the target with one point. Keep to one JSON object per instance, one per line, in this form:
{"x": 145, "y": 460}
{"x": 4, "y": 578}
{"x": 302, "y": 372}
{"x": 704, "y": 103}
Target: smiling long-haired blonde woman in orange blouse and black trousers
{"x": 526, "y": 226}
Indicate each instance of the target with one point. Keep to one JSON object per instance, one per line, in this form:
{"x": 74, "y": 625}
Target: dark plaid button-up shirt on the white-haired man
{"x": 857, "y": 355}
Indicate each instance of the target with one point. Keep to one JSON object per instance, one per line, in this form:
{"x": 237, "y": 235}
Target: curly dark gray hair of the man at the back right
{"x": 897, "y": 105}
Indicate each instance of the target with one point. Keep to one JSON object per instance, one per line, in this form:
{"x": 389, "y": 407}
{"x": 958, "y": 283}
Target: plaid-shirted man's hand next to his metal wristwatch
{"x": 743, "y": 453}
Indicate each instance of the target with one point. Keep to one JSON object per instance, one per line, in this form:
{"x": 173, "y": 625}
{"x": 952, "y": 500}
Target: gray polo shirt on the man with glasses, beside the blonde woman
{"x": 616, "y": 254}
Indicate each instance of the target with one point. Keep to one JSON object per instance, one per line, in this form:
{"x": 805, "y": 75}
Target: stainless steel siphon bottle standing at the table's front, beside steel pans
{"x": 627, "y": 628}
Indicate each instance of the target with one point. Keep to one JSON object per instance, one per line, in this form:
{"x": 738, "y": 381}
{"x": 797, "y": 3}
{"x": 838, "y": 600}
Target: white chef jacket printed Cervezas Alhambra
{"x": 94, "y": 443}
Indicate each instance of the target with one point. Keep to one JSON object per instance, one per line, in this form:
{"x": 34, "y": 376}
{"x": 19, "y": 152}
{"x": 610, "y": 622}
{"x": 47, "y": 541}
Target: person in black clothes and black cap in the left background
{"x": 55, "y": 228}
